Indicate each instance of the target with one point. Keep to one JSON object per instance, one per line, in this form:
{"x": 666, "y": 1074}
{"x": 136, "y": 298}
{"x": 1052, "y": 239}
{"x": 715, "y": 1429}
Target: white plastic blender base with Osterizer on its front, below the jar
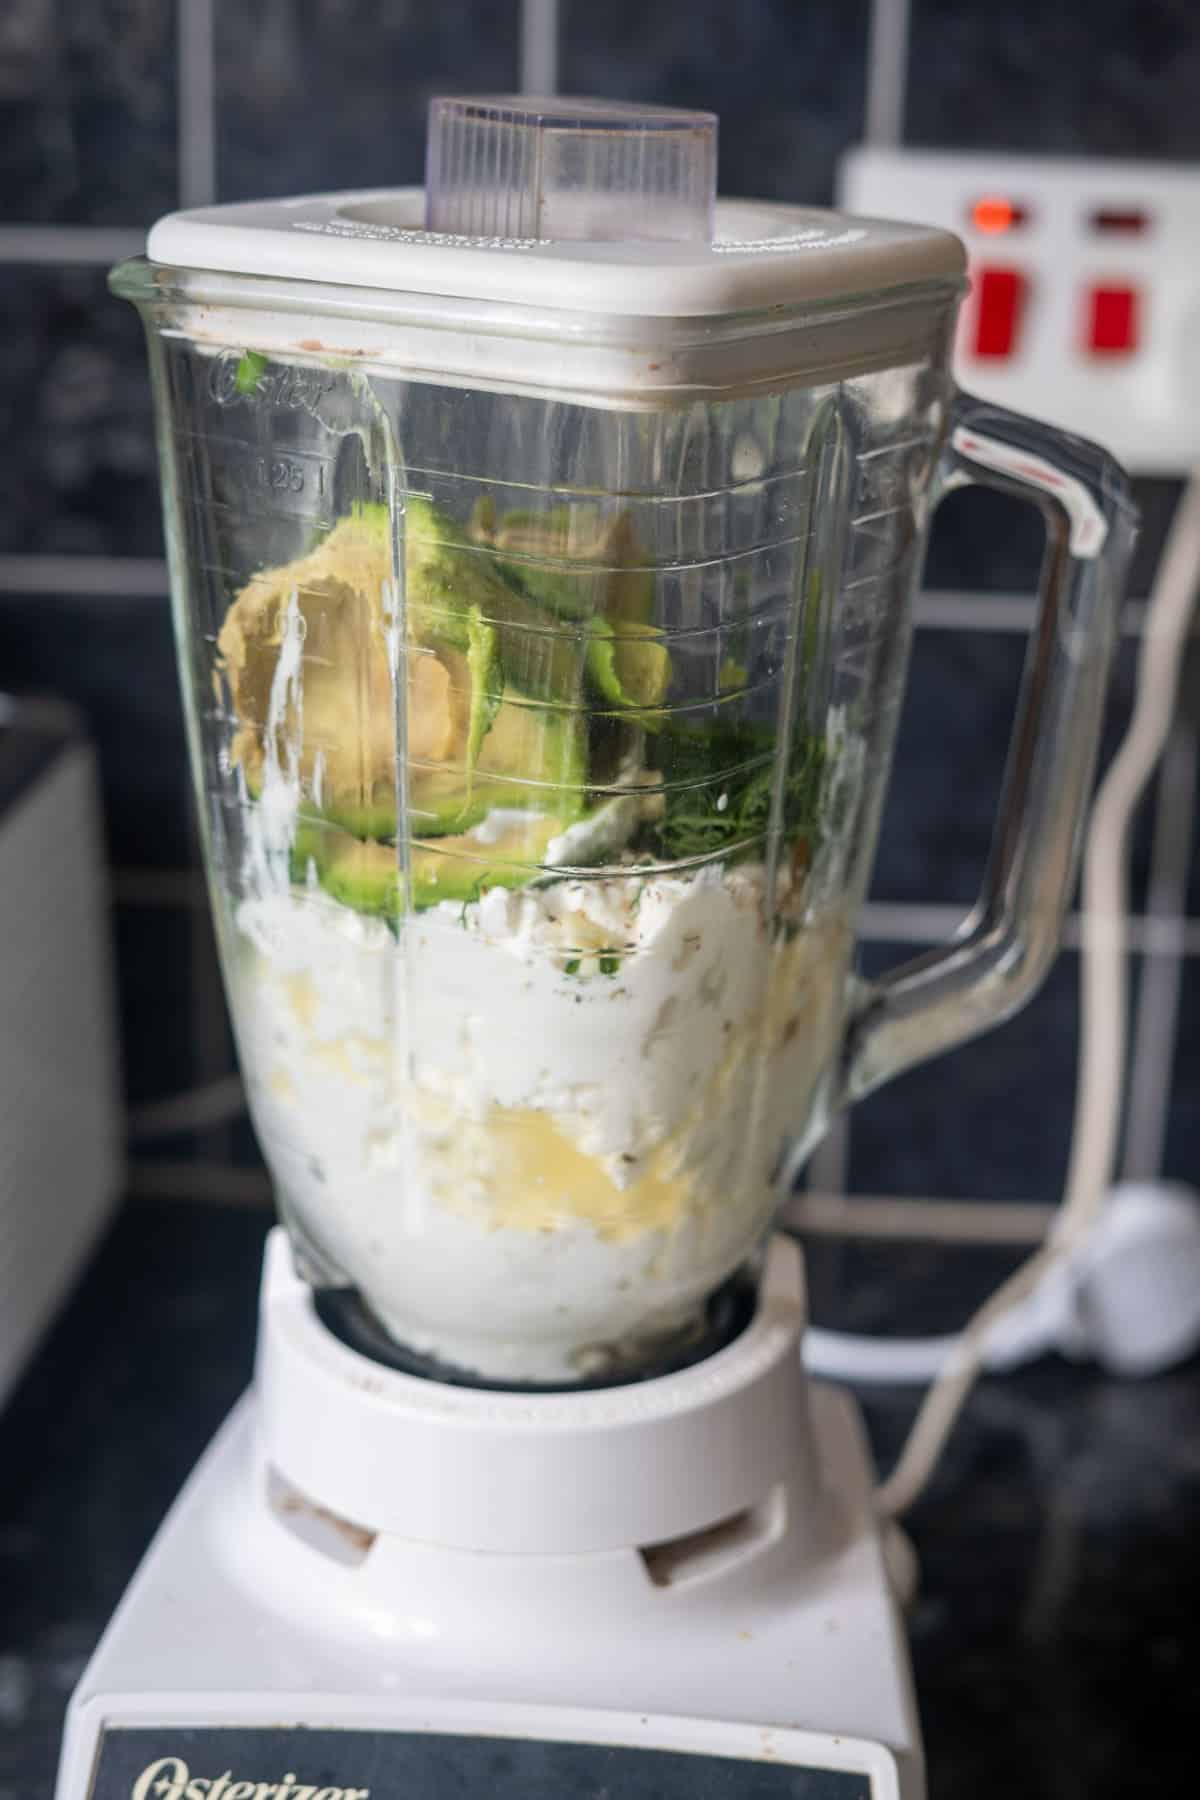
{"x": 278, "y": 1646}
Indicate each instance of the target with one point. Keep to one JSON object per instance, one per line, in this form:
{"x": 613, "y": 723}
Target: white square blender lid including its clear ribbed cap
{"x": 575, "y": 206}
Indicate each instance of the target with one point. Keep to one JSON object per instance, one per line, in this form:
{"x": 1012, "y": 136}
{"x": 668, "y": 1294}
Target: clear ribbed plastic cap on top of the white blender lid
{"x": 569, "y": 170}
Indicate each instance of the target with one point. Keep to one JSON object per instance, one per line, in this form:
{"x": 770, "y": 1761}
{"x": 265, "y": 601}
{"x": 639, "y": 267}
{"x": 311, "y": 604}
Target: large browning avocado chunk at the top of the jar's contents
{"x": 476, "y": 651}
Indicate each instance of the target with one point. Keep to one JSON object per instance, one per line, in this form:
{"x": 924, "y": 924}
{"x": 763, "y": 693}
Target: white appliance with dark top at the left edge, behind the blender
{"x": 60, "y": 1119}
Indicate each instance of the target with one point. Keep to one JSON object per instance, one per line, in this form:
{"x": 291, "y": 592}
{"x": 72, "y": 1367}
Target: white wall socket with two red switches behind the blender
{"x": 1086, "y": 287}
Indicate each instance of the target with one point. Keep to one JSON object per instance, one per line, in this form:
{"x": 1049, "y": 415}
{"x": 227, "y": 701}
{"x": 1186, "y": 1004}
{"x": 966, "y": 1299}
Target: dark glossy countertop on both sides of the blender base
{"x": 1057, "y": 1633}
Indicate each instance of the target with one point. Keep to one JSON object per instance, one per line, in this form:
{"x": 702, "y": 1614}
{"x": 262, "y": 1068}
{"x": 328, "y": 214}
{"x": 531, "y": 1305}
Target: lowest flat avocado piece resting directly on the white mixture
{"x": 368, "y": 876}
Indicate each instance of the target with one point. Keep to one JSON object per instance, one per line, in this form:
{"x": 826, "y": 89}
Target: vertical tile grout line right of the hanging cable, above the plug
{"x": 1156, "y": 1027}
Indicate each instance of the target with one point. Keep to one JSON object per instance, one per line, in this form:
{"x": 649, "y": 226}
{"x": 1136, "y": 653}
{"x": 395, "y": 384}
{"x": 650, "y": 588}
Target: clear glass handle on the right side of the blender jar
{"x": 1007, "y": 946}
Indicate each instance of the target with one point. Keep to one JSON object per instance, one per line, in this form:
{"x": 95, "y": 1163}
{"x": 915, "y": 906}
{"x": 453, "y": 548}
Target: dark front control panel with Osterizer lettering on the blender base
{"x": 287, "y": 1763}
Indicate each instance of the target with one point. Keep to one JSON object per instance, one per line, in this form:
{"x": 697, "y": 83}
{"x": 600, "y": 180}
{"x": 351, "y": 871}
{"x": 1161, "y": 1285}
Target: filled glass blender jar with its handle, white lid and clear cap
{"x": 542, "y": 557}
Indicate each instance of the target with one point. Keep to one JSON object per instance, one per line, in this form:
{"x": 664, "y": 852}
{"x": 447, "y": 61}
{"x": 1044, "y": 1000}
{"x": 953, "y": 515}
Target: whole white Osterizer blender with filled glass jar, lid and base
{"x": 542, "y": 557}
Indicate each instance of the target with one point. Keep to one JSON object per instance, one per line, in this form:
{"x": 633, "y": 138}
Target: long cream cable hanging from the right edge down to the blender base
{"x": 1104, "y": 1003}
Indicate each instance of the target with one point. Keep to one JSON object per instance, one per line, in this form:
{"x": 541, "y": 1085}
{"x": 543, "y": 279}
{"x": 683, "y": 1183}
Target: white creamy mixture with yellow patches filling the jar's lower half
{"x": 541, "y": 1129}
